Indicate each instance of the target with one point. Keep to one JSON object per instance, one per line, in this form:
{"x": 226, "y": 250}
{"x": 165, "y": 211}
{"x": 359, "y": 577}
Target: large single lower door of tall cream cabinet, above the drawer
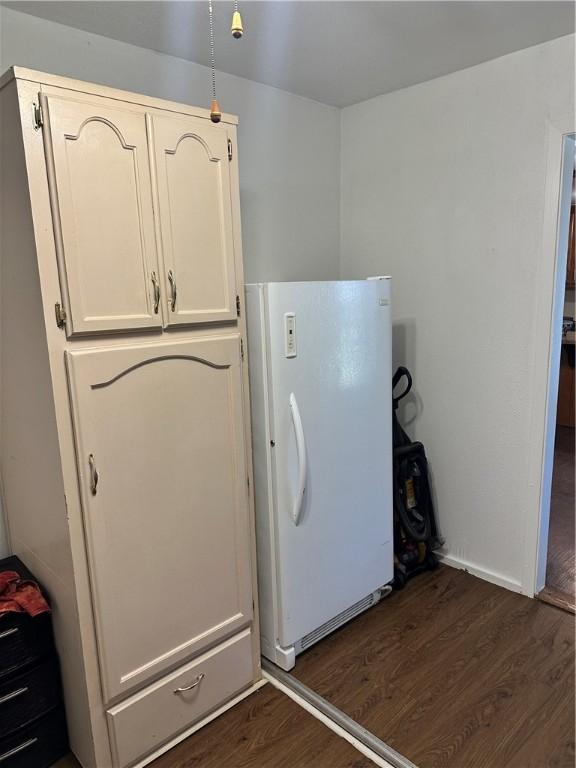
{"x": 161, "y": 464}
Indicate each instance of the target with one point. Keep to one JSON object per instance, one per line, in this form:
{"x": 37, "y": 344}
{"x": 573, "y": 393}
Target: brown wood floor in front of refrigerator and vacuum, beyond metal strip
{"x": 455, "y": 672}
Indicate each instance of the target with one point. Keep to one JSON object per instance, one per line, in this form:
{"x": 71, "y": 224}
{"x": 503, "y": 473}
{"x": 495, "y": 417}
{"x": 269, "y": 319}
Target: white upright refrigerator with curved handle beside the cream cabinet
{"x": 320, "y": 386}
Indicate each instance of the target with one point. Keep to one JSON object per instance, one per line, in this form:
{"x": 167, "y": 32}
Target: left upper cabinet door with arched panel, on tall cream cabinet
{"x": 98, "y": 165}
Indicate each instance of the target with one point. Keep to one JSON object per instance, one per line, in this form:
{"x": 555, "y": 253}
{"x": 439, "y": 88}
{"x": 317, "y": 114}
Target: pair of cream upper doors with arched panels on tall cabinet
{"x": 102, "y": 157}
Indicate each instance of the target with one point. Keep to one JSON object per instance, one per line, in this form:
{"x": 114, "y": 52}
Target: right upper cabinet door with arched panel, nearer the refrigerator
{"x": 195, "y": 215}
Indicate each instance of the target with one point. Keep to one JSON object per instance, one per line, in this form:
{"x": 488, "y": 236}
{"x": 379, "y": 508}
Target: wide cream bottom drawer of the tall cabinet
{"x": 158, "y": 713}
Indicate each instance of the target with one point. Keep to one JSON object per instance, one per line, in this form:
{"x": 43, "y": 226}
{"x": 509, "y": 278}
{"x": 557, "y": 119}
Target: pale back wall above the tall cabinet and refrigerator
{"x": 289, "y": 146}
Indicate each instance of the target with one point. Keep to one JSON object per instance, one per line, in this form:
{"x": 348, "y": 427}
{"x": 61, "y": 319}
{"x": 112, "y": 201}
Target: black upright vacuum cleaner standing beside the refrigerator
{"x": 415, "y": 532}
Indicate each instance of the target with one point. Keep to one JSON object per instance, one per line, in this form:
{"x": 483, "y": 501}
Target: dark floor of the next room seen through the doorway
{"x": 561, "y": 565}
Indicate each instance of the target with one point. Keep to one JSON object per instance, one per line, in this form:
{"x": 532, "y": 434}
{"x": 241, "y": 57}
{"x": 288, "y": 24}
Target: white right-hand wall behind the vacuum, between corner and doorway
{"x": 443, "y": 188}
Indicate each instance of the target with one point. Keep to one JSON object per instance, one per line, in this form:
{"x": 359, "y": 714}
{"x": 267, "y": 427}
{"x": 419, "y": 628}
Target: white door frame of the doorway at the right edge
{"x": 561, "y": 145}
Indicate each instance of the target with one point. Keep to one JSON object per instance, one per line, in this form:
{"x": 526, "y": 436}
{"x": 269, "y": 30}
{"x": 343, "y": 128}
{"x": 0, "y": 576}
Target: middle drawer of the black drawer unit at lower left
{"x": 28, "y": 696}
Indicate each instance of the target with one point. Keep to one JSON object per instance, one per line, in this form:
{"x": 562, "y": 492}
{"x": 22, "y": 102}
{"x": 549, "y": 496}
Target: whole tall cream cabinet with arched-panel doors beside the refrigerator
{"x": 125, "y": 449}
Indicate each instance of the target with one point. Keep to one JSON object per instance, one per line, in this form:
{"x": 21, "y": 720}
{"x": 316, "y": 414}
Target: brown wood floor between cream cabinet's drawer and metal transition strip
{"x": 266, "y": 730}
